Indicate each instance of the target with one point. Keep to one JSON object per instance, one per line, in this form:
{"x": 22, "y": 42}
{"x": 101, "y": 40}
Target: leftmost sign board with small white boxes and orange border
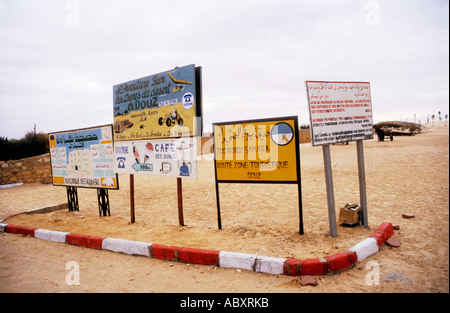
{"x": 83, "y": 158}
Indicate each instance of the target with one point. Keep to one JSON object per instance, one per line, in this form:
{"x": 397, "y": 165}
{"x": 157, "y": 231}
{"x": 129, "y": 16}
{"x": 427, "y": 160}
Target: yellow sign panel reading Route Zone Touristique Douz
{"x": 257, "y": 150}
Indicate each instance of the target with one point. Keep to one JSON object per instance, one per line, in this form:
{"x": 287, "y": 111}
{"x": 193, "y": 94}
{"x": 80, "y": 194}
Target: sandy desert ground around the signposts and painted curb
{"x": 407, "y": 175}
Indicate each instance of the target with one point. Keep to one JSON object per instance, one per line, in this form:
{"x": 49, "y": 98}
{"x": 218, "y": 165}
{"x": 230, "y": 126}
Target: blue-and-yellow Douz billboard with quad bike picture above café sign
{"x": 161, "y": 105}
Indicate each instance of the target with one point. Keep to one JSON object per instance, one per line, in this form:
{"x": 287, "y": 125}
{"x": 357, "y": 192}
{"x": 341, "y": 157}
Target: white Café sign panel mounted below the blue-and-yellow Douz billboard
{"x": 158, "y": 157}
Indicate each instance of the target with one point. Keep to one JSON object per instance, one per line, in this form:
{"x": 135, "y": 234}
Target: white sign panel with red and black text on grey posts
{"x": 339, "y": 111}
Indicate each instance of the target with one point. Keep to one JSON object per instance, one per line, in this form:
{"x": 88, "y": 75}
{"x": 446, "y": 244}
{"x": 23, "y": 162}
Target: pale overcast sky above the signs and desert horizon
{"x": 60, "y": 59}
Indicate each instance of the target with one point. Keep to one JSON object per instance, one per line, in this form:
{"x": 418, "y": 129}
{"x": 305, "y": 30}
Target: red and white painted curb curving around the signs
{"x": 226, "y": 259}
